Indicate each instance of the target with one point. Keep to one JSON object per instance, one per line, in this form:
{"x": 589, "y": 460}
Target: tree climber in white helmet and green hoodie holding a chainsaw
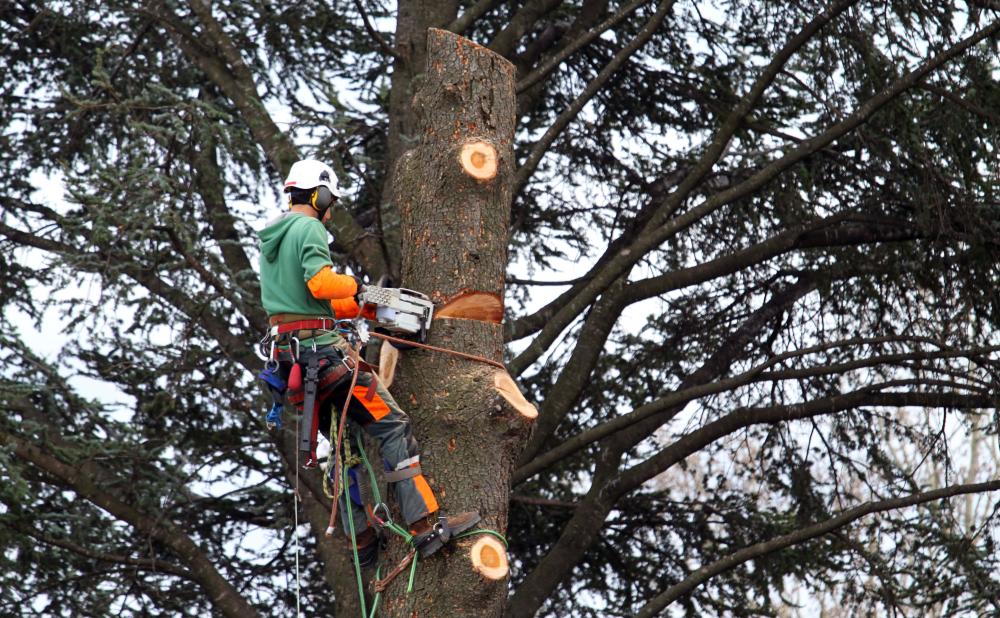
{"x": 302, "y": 296}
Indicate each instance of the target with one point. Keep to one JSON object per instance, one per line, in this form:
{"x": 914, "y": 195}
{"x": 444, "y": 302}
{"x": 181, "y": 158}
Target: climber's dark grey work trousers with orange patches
{"x": 378, "y": 414}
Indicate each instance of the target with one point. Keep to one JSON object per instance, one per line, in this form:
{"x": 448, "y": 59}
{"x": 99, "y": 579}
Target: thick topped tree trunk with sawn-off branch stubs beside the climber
{"x": 453, "y": 190}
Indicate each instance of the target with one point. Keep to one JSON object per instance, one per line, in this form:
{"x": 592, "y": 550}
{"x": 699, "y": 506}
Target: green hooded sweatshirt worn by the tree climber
{"x": 293, "y": 248}
